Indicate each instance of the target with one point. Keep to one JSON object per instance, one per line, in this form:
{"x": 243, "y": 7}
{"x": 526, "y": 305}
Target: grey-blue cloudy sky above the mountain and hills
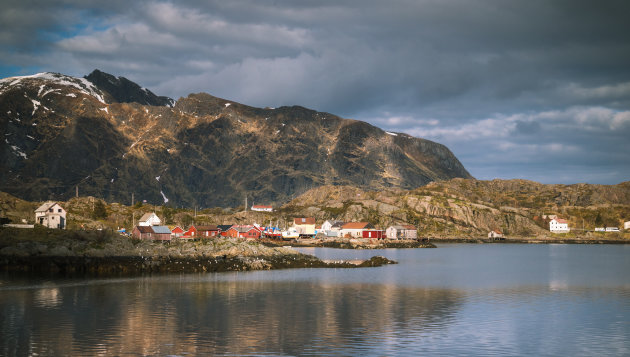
{"x": 533, "y": 89}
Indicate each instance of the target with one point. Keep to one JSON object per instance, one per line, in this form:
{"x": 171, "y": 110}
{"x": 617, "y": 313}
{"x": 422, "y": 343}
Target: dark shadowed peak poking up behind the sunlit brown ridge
{"x": 122, "y": 90}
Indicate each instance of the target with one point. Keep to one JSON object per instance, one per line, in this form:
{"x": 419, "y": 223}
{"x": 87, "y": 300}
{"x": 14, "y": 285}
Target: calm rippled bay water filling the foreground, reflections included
{"x": 484, "y": 300}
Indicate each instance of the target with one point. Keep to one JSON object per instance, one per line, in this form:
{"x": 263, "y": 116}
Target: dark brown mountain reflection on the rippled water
{"x": 153, "y": 316}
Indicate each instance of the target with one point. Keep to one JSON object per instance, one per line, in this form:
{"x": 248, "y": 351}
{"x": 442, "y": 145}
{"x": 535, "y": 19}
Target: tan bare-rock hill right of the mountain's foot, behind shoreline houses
{"x": 471, "y": 208}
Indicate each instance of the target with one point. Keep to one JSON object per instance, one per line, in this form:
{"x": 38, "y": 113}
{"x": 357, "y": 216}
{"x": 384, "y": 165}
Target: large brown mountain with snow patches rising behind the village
{"x": 108, "y": 137}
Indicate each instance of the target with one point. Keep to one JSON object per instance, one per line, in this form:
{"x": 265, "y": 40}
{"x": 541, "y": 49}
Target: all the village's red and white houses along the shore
{"x": 150, "y": 227}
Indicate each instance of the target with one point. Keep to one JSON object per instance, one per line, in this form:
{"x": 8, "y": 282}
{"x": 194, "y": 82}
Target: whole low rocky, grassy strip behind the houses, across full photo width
{"x": 462, "y": 208}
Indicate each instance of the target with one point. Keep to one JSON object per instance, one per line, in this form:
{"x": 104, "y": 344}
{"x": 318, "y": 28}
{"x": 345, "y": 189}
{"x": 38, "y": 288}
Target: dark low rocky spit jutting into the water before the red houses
{"x": 105, "y": 253}
